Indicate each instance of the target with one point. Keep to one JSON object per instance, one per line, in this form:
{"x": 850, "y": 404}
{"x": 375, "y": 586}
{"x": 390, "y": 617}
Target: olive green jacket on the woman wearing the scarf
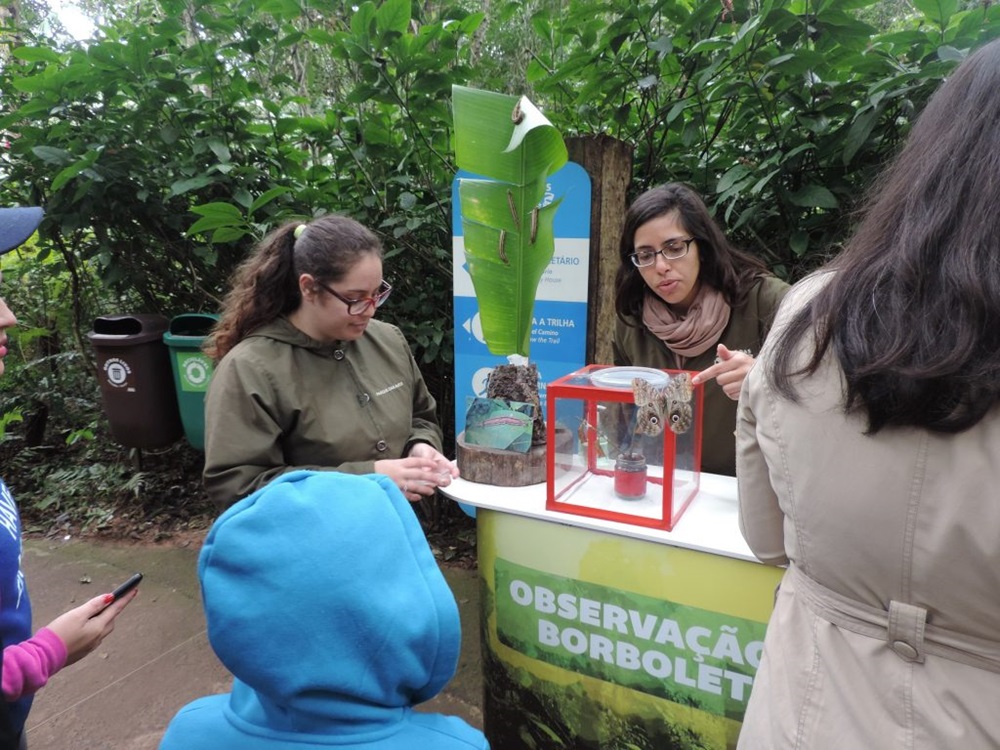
{"x": 748, "y": 326}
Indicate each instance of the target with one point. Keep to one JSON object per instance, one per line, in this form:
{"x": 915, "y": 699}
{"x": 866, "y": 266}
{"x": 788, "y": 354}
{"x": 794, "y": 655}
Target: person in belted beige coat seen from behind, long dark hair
{"x": 868, "y": 458}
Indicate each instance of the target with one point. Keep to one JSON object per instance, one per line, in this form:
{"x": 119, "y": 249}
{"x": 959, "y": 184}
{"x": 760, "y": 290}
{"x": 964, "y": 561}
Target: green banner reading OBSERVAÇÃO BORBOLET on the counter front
{"x": 695, "y": 657}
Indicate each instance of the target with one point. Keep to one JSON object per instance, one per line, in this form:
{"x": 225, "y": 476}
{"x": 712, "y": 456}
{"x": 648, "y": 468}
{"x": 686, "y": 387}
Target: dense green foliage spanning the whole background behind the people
{"x": 163, "y": 148}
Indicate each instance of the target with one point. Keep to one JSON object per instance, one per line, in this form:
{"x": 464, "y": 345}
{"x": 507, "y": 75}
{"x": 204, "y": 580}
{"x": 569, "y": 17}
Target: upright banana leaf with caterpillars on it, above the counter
{"x": 509, "y": 236}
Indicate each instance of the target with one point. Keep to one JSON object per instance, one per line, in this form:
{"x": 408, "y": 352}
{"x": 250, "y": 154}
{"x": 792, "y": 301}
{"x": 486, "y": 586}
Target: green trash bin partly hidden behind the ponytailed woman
{"x": 192, "y": 370}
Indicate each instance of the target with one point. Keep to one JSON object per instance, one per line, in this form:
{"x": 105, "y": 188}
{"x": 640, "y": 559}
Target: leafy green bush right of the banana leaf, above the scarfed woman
{"x": 780, "y": 112}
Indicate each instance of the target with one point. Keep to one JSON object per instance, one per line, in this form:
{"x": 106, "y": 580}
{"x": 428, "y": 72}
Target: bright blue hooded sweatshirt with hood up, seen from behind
{"x": 325, "y": 602}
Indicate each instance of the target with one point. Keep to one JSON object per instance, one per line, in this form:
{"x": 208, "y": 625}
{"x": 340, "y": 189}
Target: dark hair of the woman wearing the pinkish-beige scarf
{"x": 723, "y": 267}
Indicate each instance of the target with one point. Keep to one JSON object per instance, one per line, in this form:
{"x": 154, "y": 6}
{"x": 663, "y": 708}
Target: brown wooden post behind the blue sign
{"x": 608, "y": 161}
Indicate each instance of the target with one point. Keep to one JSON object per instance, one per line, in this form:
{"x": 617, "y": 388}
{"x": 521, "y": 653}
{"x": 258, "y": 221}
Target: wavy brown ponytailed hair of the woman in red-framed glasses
{"x": 266, "y": 284}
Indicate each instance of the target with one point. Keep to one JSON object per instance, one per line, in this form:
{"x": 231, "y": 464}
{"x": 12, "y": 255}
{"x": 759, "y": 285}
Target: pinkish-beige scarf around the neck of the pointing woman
{"x": 694, "y": 333}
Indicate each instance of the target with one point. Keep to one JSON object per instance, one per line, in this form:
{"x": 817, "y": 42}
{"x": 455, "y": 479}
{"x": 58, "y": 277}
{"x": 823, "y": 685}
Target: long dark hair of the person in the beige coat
{"x": 913, "y": 309}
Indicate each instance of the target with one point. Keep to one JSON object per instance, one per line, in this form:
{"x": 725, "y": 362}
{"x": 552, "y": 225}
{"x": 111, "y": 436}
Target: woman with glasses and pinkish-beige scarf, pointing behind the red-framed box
{"x": 687, "y": 299}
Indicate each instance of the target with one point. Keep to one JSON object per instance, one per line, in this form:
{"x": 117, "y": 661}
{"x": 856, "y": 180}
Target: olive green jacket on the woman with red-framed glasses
{"x": 280, "y": 401}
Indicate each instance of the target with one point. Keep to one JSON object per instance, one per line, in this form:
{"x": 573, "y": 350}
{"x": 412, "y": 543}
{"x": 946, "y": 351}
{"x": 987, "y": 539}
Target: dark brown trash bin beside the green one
{"x": 133, "y": 369}
